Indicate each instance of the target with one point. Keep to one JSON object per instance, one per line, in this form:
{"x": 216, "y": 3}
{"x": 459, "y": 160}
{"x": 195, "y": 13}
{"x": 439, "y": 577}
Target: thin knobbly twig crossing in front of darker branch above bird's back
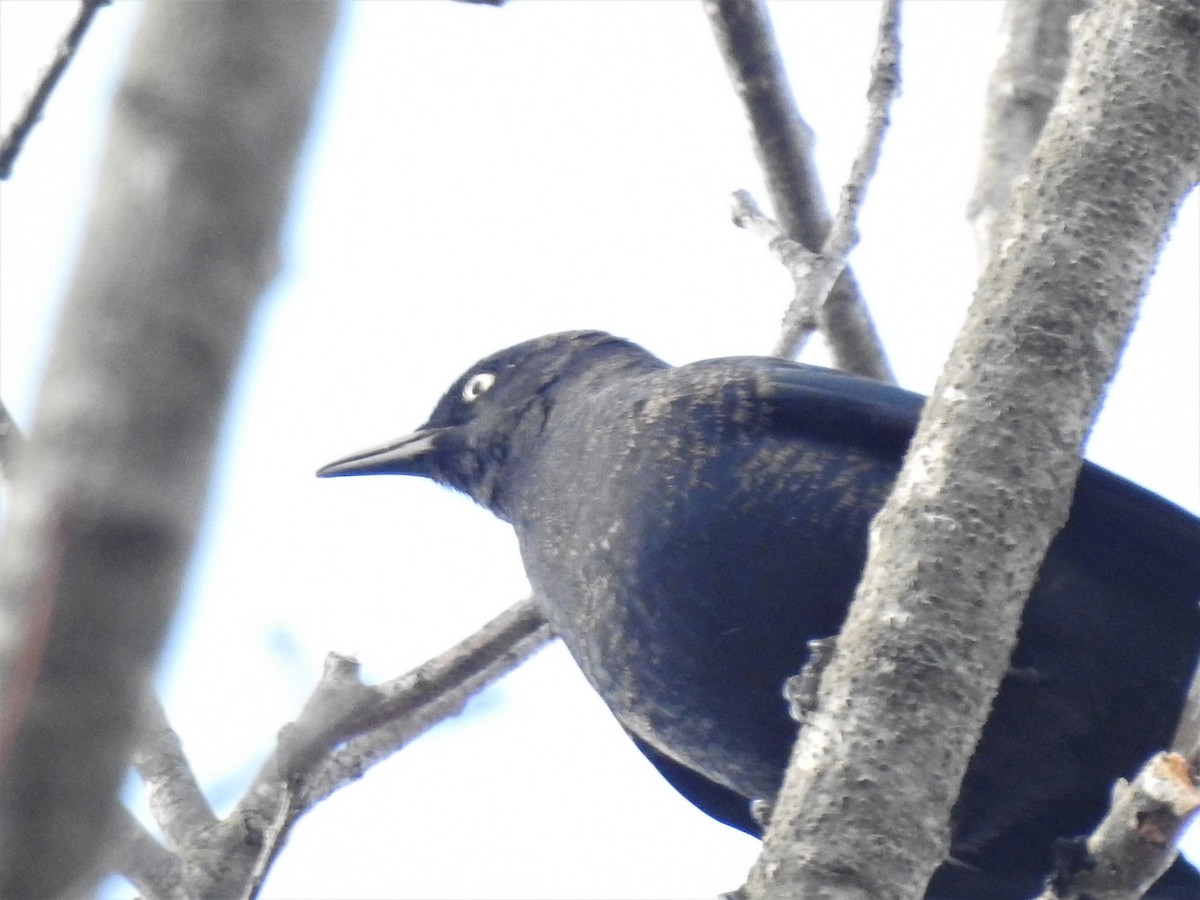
{"x": 813, "y": 292}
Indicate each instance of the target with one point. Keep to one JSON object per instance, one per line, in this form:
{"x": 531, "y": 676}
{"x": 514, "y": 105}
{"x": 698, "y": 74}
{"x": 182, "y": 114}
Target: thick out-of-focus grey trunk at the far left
{"x": 109, "y": 490}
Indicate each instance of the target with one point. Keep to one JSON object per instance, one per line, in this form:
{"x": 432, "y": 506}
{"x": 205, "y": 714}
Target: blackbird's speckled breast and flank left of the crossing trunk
{"x": 686, "y": 566}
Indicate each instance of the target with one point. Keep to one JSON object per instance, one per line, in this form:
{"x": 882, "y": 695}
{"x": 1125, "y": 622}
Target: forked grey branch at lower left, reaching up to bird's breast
{"x": 344, "y": 729}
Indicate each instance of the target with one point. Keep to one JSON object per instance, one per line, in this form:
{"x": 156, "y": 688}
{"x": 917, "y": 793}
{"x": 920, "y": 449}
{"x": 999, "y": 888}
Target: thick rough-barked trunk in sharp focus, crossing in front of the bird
{"x": 989, "y": 478}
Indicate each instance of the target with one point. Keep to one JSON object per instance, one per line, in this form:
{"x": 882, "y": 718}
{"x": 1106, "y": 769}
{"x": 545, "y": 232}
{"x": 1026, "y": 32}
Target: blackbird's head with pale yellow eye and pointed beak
{"x": 490, "y": 419}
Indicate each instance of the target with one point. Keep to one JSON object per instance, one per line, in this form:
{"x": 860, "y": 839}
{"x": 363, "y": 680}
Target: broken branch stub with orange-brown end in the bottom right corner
{"x": 1136, "y": 842}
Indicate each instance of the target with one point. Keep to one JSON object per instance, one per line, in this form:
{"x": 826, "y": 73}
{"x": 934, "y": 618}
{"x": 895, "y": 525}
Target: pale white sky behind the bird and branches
{"x": 478, "y": 177}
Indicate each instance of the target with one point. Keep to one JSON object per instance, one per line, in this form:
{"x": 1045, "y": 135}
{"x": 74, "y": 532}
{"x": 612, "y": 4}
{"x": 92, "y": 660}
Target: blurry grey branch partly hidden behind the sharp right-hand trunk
{"x": 1033, "y": 64}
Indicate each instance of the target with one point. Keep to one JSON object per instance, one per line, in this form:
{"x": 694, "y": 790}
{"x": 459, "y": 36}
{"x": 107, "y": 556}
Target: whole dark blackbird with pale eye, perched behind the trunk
{"x": 691, "y": 529}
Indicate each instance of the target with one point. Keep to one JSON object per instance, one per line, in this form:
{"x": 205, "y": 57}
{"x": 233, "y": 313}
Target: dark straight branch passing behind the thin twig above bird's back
{"x": 783, "y": 142}
